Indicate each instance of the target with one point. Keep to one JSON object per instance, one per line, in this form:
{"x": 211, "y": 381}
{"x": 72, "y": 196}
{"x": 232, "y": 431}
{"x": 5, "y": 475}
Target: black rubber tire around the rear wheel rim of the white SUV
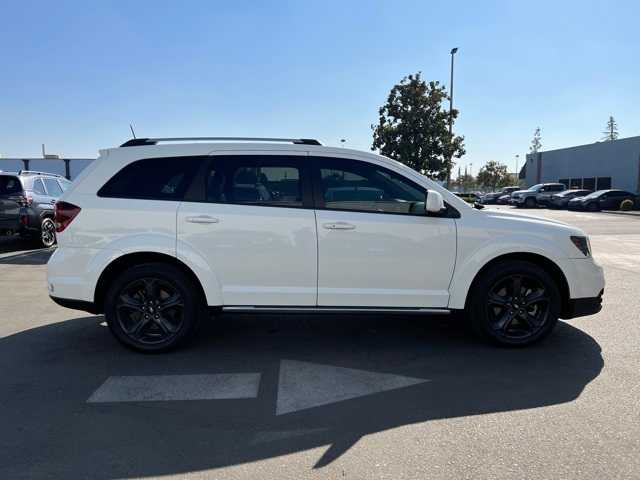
{"x": 193, "y": 305}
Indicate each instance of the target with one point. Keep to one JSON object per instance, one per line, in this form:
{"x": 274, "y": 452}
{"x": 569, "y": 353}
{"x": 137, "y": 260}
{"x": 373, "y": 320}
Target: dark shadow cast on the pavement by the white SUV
{"x": 49, "y": 373}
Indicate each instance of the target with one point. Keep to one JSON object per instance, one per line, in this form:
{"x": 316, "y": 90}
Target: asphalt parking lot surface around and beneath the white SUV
{"x": 294, "y": 397}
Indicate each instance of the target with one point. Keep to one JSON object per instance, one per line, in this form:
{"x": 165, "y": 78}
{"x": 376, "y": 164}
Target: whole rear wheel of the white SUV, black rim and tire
{"x": 134, "y": 308}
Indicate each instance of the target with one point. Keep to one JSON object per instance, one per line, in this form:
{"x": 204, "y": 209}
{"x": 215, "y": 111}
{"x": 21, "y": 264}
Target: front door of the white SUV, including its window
{"x": 376, "y": 245}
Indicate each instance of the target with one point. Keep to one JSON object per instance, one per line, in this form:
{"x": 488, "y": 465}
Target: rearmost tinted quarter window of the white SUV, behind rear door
{"x": 153, "y": 179}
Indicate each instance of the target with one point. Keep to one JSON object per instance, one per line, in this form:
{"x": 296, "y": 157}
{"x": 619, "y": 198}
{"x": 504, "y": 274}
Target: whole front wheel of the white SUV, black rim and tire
{"x": 511, "y": 320}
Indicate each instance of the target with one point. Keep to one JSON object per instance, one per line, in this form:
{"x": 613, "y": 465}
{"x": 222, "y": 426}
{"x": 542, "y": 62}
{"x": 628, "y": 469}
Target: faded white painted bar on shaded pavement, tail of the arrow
{"x": 153, "y": 388}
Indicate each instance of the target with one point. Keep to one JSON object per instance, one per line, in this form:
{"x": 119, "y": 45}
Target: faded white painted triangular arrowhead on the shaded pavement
{"x": 305, "y": 385}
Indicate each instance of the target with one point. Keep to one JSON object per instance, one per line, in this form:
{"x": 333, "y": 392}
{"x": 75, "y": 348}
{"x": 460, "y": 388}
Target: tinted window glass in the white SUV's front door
{"x": 353, "y": 185}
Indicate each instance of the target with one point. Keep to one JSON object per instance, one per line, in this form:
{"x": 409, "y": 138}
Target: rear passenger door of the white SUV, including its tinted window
{"x": 252, "y": 222}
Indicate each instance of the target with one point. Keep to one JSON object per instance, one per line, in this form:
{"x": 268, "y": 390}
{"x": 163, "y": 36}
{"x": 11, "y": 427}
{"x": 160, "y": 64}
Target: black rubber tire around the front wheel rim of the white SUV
{"x": 481, "y": 288}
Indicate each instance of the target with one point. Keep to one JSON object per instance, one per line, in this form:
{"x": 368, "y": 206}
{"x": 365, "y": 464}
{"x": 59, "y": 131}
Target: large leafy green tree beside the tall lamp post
{"x": 413, "y": 127}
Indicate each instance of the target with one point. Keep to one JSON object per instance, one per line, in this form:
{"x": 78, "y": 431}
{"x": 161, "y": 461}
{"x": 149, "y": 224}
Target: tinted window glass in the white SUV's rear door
{"x": 254, "y": 181}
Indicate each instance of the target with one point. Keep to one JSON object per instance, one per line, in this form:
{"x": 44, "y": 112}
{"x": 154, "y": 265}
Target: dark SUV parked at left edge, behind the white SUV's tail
{"x": 26, "y": 204}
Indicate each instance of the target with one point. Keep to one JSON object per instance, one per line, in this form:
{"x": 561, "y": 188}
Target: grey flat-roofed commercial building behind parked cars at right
{"x": 598, "y": 166}
